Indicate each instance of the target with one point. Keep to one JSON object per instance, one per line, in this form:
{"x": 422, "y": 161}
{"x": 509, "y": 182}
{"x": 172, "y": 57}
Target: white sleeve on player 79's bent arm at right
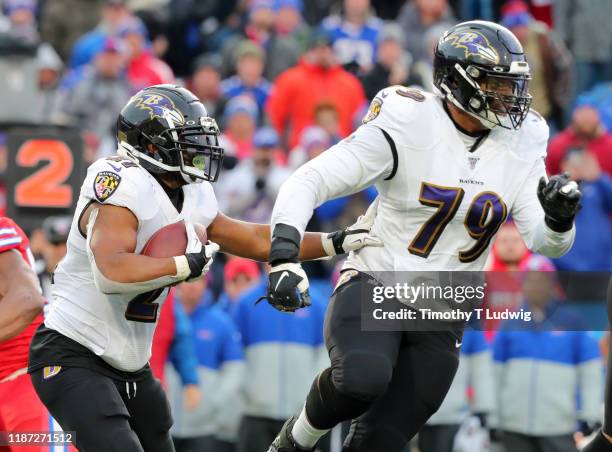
{"x": 529, "y": 219}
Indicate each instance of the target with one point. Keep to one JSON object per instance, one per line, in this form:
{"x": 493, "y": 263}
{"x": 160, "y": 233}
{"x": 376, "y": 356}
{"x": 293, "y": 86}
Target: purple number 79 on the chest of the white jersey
{"x": 486, "y": 214}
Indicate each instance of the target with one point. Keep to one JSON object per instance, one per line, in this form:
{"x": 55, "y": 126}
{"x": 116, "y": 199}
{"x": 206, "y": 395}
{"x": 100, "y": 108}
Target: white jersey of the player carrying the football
{"x": 119, "y": 328}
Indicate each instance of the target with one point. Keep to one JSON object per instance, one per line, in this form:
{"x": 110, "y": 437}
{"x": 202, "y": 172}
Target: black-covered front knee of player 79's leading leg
{"x": 362, "y": 375}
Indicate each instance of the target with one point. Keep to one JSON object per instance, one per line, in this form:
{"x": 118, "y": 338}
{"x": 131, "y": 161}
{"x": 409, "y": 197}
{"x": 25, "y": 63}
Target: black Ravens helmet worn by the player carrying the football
{"x": 184, "y": 138}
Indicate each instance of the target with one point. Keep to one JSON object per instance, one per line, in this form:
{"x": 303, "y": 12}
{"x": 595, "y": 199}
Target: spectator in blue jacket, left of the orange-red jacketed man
{"x": 250, "y": 59}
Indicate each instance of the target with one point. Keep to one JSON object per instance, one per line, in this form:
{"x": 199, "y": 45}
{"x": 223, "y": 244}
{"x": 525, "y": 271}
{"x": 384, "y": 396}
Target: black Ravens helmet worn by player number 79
{"x": 480, "y": 67}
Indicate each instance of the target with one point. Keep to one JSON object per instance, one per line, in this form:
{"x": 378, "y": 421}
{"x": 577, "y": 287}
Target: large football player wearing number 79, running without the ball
{"x": 449, "y": 168}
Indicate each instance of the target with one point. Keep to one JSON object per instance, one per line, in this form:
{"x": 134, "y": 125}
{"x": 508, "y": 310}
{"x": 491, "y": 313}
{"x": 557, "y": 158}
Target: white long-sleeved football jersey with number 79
{"x": 440, "y": 204}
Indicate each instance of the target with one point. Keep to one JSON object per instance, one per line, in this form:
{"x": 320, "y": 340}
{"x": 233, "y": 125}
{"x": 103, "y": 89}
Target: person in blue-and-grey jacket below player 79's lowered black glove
{"x": 283, "y": 353}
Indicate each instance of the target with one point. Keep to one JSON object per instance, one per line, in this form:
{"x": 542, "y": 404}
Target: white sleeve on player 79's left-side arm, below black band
{"x": 346, "y": 168}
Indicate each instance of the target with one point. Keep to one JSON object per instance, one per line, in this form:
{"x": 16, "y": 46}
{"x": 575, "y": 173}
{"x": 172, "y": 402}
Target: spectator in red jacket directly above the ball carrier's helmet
{"x": 144, "y": 69}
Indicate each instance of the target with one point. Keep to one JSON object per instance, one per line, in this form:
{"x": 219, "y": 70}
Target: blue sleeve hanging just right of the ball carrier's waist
{"x": 182, "y": 351}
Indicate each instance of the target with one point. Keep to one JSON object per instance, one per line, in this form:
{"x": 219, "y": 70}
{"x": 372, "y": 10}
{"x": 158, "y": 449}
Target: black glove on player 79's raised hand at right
{"x": 560, "y": 199}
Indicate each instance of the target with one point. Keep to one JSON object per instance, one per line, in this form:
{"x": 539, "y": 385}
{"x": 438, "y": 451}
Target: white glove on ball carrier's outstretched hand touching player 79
{"x": 355, "y": 236}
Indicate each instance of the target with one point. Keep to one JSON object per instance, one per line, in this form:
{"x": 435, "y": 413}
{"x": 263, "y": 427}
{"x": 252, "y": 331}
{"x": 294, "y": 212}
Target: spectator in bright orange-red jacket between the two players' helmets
{"x": 316, "y": 78}
